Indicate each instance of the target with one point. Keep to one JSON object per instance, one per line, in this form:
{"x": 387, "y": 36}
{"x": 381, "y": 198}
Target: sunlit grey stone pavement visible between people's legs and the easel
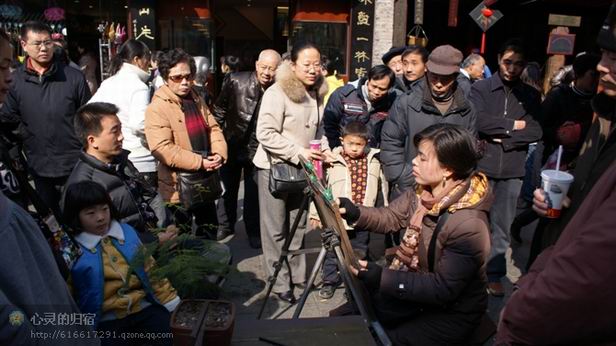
{"x": 246, "y": 284}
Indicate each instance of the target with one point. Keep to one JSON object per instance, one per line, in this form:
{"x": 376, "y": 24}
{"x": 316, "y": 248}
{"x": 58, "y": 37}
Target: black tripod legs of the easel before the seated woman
{"x": 330, "y": 242}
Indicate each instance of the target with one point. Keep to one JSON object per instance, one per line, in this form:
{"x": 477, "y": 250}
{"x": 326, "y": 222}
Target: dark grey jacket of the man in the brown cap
{"x": 411, "y": 114}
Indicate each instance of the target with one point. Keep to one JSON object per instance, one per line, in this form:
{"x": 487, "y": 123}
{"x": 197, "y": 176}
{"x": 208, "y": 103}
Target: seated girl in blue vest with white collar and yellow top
{"x": 100, "y": 279}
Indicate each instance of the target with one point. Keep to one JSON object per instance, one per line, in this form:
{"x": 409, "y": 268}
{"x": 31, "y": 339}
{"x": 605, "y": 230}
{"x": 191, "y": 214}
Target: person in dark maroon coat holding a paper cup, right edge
{"x": 567, "y": 295}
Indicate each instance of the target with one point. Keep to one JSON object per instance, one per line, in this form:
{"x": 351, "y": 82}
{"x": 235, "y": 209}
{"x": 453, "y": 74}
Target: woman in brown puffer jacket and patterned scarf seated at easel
{"x": 434, "y": 290}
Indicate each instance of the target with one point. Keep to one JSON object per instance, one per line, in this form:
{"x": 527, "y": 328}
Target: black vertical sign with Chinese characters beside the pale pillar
{"x": 362, "y": 26}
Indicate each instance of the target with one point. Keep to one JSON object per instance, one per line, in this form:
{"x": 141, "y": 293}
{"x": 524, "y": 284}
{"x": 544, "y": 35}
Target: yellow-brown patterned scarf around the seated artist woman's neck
{"x": 460, "y": 195}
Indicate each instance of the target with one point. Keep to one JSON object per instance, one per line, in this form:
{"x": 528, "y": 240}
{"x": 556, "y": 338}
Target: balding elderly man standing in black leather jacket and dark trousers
{"x": 236, "y": 111}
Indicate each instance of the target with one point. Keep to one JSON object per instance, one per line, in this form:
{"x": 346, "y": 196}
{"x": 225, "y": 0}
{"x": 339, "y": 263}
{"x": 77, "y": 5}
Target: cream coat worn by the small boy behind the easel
{"x": 339, "y": 181}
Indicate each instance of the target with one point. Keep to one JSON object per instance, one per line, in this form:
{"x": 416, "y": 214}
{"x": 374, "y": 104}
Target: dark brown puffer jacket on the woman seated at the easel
{"x": 455, "y": 289}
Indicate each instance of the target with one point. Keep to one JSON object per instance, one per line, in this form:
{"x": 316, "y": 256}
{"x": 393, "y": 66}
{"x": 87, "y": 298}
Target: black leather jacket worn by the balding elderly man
{"x": 237, "y": 104}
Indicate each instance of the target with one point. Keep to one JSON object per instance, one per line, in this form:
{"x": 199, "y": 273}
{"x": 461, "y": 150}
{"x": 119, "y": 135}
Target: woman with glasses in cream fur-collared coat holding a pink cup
{"x": 289, "y": 118}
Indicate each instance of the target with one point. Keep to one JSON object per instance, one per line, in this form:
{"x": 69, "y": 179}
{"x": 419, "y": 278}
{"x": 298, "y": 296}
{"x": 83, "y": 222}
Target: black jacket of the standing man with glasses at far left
{"x": 44, "y": 108}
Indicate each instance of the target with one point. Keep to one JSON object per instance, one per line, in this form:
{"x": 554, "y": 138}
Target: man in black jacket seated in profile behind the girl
{"x": 105, "y": 162}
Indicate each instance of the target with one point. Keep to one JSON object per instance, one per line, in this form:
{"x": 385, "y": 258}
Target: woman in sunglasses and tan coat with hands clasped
{"x": 184, "y": 136}
